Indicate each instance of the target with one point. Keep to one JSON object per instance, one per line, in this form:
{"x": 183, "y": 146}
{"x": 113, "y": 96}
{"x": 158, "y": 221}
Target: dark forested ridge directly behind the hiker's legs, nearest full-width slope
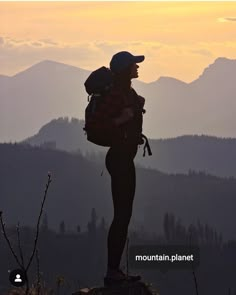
{"x": 77, "y": 187}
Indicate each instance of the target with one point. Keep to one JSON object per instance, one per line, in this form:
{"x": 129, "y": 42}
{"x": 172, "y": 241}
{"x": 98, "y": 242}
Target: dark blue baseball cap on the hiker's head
{"x": 123, "y": 59}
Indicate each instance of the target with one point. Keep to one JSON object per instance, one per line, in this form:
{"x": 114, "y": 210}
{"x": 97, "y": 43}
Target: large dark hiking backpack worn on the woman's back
{"x": 97, "y": 85}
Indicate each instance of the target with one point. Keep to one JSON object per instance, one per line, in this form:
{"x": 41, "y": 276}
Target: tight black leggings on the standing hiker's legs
{"x": 120, "y": 165}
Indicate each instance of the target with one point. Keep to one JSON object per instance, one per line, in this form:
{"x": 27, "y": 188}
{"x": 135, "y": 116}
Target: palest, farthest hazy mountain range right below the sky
{"x": 50, "y": 89}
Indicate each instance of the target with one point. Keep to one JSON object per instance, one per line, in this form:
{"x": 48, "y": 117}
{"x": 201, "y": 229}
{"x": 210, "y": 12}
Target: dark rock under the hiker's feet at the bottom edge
{"x": 137, "y": 288}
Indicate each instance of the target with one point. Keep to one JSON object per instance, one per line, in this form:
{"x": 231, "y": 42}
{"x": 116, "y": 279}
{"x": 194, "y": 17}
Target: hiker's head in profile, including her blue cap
{"x": 124, "y": 65}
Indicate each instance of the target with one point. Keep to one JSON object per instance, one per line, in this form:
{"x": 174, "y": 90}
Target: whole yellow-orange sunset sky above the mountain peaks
{"x": 178, "y": 39}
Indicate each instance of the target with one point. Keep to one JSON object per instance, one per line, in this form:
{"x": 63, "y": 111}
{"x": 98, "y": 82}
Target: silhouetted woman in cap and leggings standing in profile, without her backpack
{"x": 120, "y": 158}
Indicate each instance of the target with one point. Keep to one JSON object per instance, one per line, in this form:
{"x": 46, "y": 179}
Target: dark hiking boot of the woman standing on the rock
{"x": 116, "y": 277}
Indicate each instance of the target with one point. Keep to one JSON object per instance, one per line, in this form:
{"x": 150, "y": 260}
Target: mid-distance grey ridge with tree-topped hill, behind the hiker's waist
{"x": 210, "y": 154}
